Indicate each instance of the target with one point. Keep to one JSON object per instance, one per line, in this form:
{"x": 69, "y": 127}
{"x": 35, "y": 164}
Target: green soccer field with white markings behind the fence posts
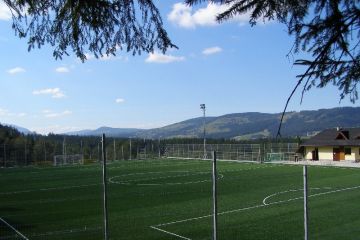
{"x": 171, "y": 199}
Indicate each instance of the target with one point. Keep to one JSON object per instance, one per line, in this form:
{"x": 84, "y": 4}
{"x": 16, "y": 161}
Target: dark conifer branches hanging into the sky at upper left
{"x": 96, "y": 26}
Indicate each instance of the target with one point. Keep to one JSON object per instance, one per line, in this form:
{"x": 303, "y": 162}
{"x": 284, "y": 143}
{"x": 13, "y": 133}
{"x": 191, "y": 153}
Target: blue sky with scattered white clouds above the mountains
{"x": 231, "y": 67}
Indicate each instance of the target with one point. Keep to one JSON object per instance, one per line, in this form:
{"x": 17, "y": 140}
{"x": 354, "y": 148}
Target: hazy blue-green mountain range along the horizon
{"x": 243, "y": 126}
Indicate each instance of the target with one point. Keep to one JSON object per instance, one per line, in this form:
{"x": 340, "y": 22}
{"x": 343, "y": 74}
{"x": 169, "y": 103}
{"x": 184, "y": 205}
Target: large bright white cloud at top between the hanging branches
{"x": 184, "y": 16}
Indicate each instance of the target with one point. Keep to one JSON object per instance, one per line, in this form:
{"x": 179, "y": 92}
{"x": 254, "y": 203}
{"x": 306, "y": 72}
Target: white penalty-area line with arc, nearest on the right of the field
{"x": 157, "y": 227}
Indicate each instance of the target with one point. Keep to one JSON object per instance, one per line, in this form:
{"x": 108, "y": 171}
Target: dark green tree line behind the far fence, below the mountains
{"x": 18, "y": 149}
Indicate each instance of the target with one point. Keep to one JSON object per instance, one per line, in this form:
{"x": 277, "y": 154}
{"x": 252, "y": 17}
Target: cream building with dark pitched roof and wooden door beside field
{"x": 337, "y": 144}
